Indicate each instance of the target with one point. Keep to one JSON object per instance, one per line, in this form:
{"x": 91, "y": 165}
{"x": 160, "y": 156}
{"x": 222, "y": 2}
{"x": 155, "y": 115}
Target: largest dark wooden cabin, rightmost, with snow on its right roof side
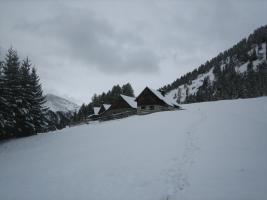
{"x": 150, "y": 100}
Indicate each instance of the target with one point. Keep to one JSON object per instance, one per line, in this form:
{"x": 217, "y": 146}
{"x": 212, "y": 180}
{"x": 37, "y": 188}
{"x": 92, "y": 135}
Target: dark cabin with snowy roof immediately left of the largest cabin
{"x": 125, "y": 105}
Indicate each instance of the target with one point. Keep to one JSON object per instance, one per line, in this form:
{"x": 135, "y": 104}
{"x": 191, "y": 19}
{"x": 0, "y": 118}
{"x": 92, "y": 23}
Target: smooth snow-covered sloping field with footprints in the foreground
{"x": 209, "y": 151}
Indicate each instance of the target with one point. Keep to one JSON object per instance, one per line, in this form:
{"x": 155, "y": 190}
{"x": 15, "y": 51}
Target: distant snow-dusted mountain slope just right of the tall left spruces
{"x": 56, "y": 103}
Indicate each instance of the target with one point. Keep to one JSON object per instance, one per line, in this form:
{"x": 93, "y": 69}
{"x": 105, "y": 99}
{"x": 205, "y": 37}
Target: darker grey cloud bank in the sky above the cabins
{"x": 94, "y": 42}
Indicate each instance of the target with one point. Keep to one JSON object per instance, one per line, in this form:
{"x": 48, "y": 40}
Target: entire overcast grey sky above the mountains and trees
{"x": 84, "y": 47}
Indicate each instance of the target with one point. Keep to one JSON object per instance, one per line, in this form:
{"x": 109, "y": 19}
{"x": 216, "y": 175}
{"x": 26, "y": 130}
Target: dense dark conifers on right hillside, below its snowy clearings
{"x": 230, "y": 84}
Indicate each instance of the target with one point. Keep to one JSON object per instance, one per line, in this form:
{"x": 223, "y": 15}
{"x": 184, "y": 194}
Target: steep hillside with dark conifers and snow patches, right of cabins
{"x": 239, "y": 72}
